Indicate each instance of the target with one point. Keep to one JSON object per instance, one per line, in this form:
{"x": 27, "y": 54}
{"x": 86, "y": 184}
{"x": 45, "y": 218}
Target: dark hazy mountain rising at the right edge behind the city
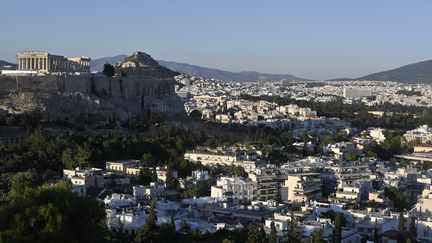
{"x": 420, "y": 72}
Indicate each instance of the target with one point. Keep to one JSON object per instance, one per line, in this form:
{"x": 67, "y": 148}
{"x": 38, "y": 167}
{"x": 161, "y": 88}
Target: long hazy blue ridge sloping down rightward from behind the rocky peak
{"x": 224, "y": 75}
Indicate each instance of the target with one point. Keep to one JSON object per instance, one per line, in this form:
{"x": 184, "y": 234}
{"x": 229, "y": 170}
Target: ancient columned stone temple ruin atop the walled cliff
{"x": 48, "y": 63}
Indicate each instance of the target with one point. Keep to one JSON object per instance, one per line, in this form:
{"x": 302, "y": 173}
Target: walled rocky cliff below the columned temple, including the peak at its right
{"x": 140, "y": 84}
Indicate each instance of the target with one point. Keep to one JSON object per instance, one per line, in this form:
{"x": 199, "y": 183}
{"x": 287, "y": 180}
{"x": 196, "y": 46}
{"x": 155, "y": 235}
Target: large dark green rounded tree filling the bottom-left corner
{"x": 50, "y": 213}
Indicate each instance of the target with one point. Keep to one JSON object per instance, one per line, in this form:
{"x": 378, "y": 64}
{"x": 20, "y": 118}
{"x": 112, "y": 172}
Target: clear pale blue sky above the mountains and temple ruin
{"x": 315, "y": 39}
